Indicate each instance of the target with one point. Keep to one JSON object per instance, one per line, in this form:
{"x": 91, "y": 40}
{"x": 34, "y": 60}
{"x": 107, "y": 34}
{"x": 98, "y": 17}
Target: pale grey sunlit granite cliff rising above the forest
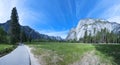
{"x": 92, "y": 26}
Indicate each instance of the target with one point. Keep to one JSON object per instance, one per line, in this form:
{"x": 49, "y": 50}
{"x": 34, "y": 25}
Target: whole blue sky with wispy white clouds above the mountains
{"x": 57, "y": 17}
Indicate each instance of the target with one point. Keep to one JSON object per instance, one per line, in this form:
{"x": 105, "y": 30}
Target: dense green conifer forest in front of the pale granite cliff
{"x": 103, "y": 36}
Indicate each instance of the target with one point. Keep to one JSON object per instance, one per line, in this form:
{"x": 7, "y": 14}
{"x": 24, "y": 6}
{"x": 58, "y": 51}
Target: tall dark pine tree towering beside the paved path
{"x": 14, "y": 27}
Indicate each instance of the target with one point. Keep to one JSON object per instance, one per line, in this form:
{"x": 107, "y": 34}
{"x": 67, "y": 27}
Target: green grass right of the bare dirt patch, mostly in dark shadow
{"x": 109, "y": 53}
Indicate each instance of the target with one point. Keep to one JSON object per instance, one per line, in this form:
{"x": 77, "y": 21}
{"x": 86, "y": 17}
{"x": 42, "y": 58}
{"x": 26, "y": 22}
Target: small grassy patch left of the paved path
{"x": 5, "y": 48}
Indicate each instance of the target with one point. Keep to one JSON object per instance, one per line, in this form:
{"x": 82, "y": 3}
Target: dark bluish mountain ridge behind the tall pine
{"x": 30, "y": 32}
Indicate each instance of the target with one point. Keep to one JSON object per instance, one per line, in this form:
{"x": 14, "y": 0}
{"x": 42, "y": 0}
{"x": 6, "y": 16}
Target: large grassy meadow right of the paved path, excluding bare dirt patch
{"x": 67, "y": 53}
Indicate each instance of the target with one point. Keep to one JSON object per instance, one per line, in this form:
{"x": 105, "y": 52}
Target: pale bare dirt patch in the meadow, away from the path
{"x": 88, "y": 59}
